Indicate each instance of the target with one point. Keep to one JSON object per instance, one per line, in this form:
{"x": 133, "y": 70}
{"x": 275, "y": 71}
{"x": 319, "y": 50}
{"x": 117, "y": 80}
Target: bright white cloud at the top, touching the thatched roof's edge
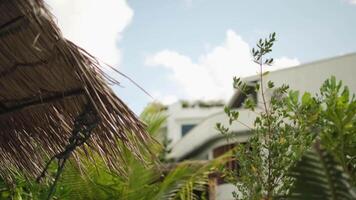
{"x": 95, "y": 25}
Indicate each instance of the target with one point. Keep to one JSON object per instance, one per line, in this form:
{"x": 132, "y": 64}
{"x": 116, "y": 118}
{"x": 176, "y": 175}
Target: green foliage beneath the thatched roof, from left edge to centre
{"x": 150, "y": 181}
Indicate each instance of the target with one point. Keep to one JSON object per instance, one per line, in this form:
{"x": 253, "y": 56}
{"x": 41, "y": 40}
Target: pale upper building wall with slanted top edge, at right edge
{"x": 309, "y": 77}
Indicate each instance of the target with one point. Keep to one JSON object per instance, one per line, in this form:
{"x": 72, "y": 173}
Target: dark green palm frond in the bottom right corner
{"x": 320, "y": 177}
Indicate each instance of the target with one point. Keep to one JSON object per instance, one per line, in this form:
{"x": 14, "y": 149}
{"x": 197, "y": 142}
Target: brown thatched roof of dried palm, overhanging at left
{"x": 45, "y": 83}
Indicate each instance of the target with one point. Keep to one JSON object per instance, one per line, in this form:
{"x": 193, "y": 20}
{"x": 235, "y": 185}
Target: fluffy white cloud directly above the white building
{"x": 211, "y": 76}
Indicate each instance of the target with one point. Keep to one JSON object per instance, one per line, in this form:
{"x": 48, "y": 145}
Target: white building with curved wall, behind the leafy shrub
{"x": 204, "y": 141}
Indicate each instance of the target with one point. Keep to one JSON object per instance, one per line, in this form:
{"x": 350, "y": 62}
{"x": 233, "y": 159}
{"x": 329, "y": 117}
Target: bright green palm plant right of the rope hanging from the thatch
{"x": 187, "y": 180}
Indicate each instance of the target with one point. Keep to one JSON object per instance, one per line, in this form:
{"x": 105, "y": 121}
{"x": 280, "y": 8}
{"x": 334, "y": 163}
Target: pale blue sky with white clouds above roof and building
{"x": 191, "y": 49}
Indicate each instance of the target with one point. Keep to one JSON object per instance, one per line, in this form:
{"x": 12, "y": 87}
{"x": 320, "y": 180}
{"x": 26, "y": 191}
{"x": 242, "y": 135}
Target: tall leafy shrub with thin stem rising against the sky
{"x": 280, "y": 135}
